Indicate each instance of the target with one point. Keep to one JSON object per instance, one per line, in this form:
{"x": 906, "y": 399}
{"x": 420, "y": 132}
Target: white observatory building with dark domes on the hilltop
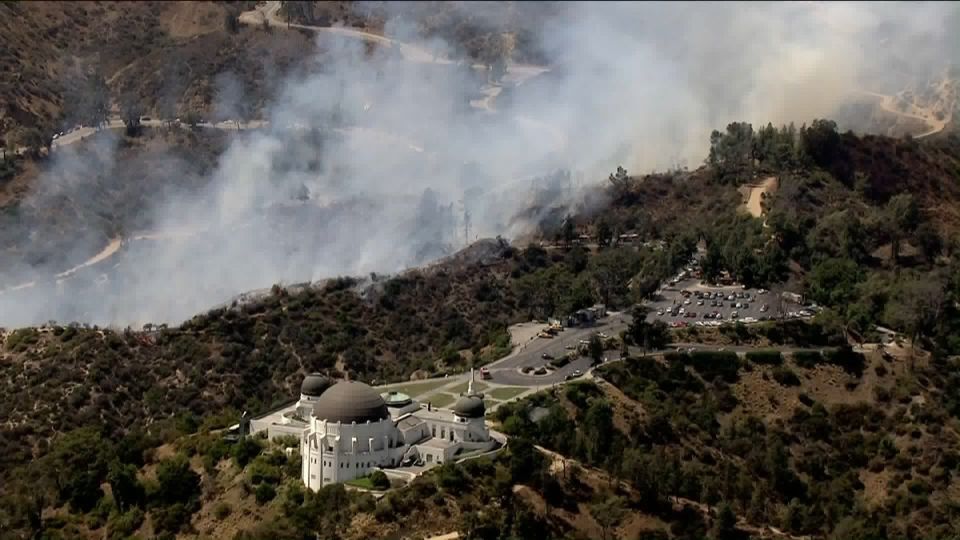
{"x": 348, "y": 430}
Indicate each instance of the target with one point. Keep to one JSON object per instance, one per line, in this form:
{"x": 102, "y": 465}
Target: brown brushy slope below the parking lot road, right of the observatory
{"x": 848, "y": 451}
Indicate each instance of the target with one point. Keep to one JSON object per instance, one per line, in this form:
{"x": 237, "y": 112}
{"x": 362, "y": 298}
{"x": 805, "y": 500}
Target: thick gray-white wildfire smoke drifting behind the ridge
{"x": 368, "y": 165}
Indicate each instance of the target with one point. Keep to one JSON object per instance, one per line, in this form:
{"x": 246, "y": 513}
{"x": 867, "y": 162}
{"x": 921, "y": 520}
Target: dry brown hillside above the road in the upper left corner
{"x": 168, "y": 56}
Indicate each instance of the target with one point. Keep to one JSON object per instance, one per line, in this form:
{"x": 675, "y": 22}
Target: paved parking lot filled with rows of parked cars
{"x": 689, "y": 302}
